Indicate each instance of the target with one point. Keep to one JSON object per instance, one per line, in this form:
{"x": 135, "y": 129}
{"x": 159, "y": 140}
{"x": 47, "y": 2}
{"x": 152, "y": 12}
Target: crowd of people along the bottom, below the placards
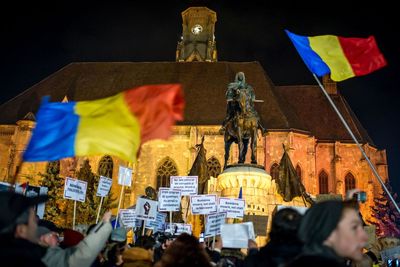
{"x": 330, "y": 233}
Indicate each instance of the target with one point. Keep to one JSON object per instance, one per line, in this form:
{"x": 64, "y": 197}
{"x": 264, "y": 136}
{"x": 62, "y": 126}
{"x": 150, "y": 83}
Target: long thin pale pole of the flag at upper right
{"x": 355, "y": 140}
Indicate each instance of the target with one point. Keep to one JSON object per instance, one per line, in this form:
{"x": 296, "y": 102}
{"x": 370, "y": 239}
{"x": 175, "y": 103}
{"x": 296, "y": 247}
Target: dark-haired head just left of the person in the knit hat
{"x": 285, "y": 224}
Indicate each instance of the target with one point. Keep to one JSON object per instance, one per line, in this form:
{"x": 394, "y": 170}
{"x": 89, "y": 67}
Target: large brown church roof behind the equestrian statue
{"x": 204, "y": 84}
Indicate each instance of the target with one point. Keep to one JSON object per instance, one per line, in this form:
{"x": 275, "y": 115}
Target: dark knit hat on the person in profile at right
{"x": 320, "y": 221}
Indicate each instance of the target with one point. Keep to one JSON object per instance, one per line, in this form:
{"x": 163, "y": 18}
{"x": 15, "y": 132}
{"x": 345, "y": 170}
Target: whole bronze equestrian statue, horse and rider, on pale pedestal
{"x": 242, "y": 120}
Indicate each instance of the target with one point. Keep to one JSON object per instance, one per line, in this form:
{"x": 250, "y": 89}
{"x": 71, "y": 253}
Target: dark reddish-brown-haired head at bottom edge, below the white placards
{"x": 185, "y": 250}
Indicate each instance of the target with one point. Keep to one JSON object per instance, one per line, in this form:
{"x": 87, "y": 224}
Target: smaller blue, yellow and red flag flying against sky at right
{"x": 342, "y": 57}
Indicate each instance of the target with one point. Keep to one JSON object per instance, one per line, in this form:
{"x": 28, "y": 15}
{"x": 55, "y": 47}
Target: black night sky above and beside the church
{"x": 39, "y": 39}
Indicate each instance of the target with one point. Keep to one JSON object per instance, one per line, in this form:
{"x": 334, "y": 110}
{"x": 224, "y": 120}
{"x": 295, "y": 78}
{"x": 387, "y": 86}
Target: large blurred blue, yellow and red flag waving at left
{"x": 115, "y": 125}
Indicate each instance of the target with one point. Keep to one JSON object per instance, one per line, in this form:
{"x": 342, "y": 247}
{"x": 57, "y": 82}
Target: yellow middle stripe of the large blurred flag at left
{"x": 107, "y": 126}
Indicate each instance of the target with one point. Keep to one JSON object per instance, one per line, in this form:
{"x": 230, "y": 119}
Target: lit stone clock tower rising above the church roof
{"x": 198, "y": 40}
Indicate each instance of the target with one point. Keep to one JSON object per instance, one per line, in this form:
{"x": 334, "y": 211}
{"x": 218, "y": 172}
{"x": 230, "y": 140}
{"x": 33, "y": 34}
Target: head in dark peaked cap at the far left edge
{"x": 17, "y": 216}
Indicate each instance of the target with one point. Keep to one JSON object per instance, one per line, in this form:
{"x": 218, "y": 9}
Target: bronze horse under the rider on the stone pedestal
{"x": 242, "y": 128}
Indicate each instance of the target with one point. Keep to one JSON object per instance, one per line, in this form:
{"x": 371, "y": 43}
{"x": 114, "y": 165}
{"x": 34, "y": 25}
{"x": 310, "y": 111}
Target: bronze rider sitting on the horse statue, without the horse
{"x": 233, "y": 106}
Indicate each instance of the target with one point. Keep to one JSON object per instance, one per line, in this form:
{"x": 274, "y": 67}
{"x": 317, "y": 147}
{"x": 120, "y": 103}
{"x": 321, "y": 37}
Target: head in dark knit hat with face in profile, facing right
{"x": 335, "y": 224}
